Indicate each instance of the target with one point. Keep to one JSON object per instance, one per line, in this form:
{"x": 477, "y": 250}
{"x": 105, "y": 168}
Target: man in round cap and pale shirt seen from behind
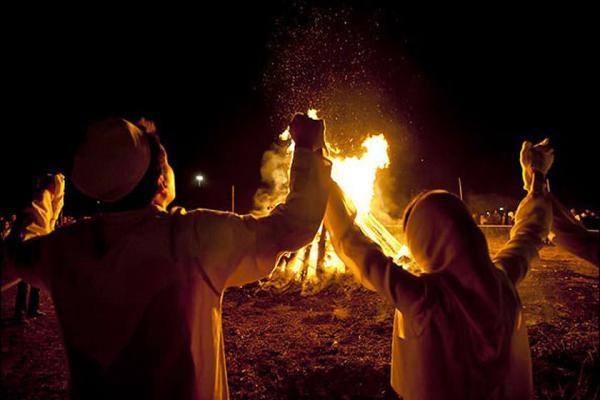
{"x": 138, "y": 289}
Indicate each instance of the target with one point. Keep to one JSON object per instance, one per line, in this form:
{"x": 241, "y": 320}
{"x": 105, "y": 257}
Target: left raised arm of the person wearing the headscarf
{"x": 365, "y": 258}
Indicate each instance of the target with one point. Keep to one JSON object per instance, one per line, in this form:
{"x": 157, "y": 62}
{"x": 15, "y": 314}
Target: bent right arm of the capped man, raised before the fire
{"x": 237, "y": 249}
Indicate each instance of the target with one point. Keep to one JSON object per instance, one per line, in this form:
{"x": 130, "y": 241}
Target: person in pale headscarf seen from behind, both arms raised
{"x": 458, "y": 329}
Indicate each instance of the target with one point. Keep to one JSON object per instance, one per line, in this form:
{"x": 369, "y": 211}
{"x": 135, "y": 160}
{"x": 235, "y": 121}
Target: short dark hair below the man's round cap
{"x": 146, "y": 189}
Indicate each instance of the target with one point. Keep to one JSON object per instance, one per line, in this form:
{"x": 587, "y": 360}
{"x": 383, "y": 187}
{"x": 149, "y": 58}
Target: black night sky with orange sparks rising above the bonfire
{"x": 454, "y": 90}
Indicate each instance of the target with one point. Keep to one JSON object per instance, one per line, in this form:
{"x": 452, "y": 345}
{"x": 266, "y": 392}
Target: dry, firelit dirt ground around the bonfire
{"x": 336, "y": 344}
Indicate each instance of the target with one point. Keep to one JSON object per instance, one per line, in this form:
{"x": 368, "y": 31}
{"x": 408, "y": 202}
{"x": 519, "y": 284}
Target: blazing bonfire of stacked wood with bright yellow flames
{"x": 315, "y": 266}
